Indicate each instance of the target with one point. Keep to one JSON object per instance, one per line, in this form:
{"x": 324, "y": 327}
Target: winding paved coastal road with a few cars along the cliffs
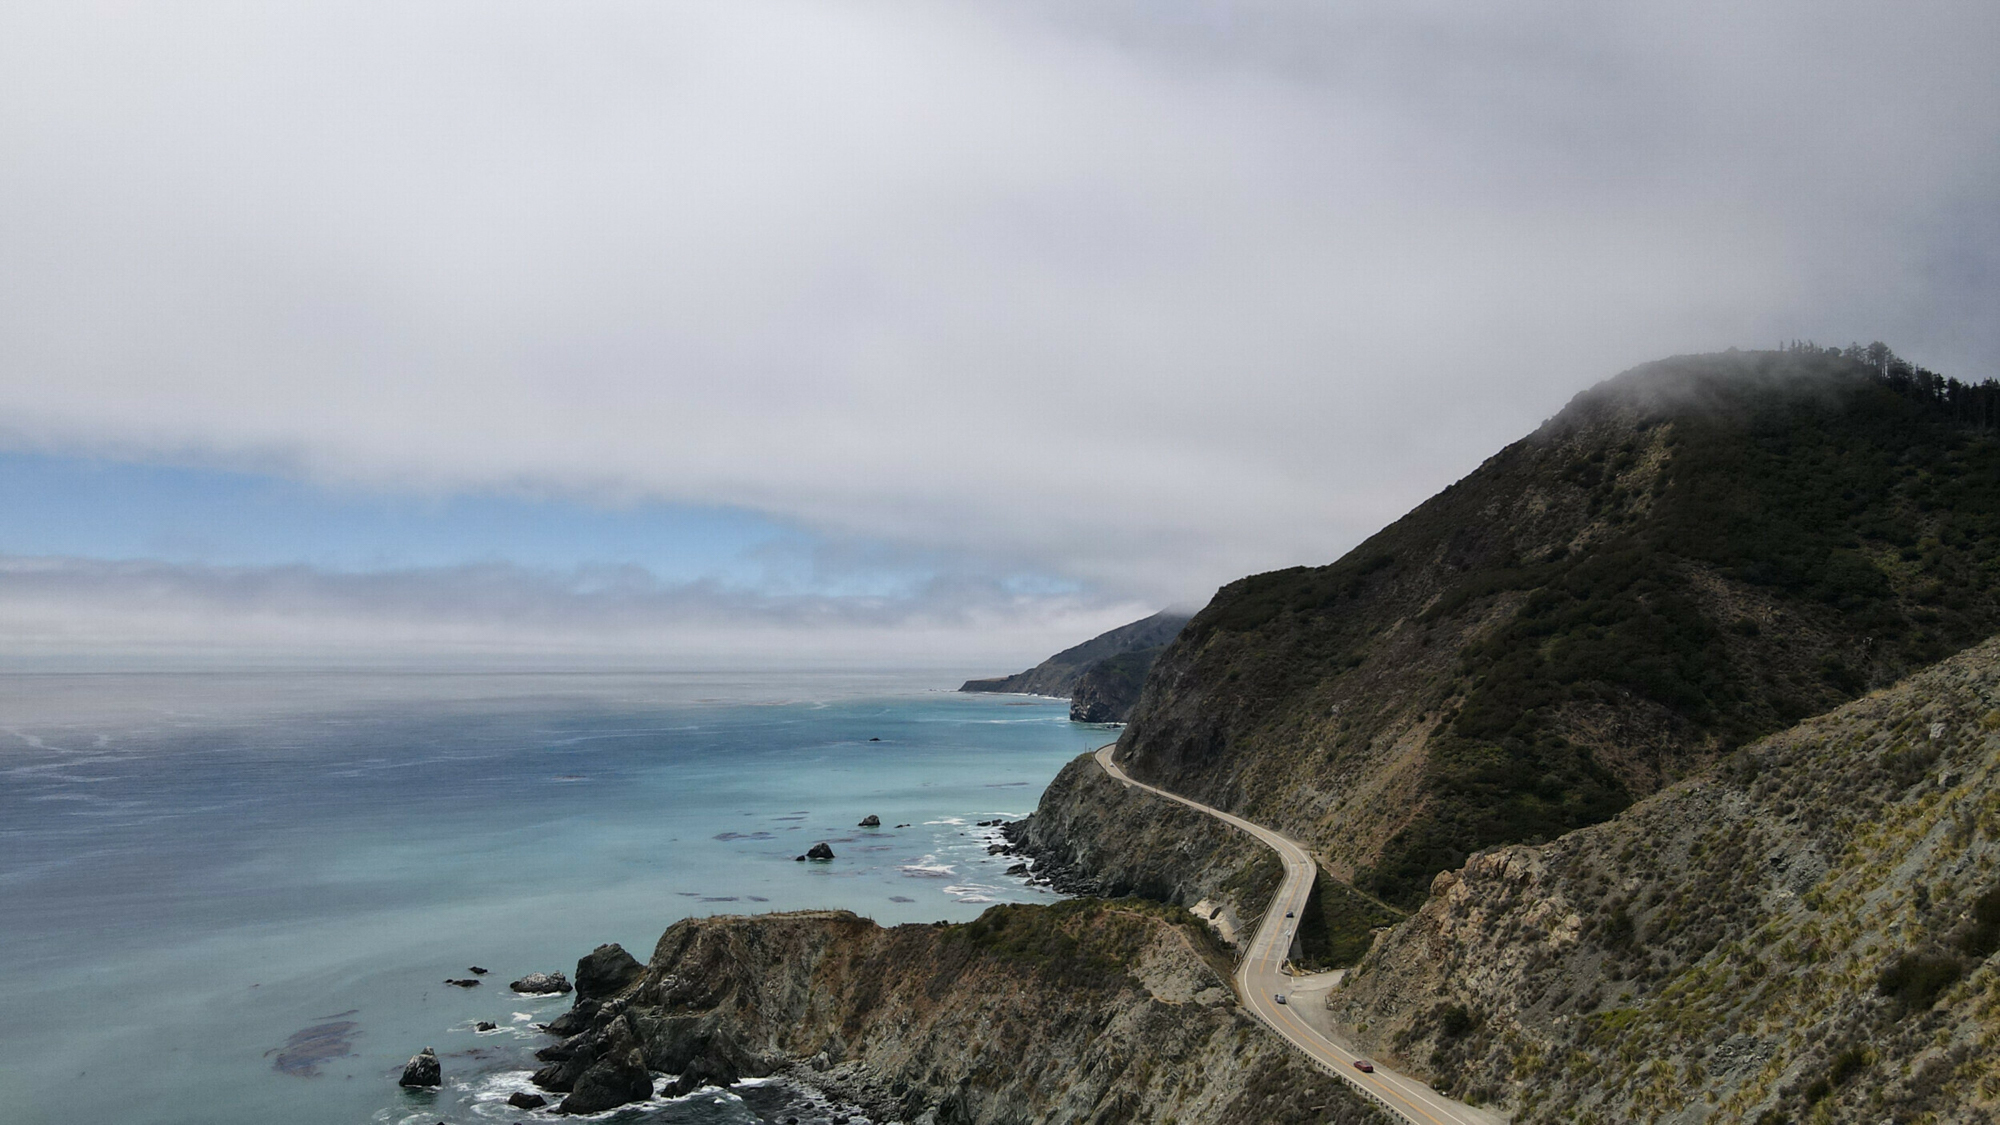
{"x": 1261, "y": 980}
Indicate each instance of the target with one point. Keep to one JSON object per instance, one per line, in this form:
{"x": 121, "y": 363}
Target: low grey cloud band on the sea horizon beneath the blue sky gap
{"x": 53, "y": 608}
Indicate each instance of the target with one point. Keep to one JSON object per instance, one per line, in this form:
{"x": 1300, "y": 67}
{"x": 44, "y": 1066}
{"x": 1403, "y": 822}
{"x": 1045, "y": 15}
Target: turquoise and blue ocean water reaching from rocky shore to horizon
{"x": 199, "y": 870}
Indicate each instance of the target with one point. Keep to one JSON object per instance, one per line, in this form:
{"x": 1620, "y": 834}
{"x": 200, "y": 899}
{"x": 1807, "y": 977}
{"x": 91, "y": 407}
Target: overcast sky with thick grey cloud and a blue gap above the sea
{"x": 947, "y": 331}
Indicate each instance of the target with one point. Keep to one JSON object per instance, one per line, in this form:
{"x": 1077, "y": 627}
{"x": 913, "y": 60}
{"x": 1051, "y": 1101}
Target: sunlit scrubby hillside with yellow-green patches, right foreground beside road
{"x": 1805, "y": 934}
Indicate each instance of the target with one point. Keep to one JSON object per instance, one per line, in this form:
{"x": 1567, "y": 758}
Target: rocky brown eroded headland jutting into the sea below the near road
{"x": 1081, "y": 1012}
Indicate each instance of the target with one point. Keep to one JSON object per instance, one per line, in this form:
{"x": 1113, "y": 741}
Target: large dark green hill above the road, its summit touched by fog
{"x": 1687, "y": 557}
